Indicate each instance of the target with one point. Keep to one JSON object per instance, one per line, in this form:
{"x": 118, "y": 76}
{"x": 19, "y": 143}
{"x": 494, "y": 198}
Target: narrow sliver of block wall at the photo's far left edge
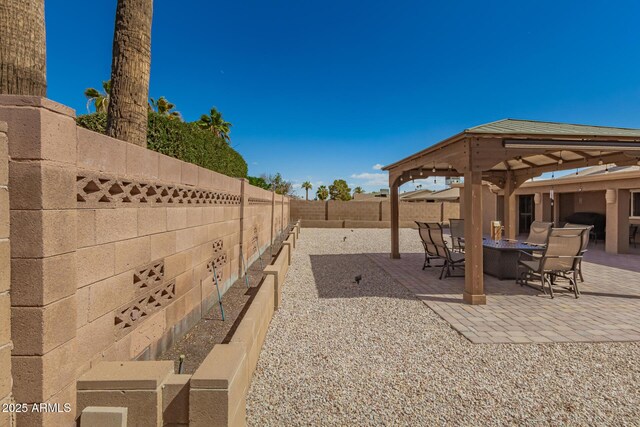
{"x": 6, "y": 380}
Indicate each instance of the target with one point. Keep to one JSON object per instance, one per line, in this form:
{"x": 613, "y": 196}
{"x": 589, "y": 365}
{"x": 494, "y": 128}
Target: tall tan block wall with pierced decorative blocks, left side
{"x": 116, "y": 248}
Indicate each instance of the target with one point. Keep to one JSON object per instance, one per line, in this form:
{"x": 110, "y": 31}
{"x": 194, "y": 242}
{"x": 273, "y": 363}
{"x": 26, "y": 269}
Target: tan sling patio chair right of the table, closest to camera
{"x": 559, "y": 261}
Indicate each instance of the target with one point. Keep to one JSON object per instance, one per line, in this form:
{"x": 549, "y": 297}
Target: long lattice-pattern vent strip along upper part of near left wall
{"x": 99, "y": 190}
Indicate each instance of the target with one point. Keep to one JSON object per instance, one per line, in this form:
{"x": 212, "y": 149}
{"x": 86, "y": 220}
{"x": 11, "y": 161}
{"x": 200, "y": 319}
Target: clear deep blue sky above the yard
{"x": 319, "y": 90}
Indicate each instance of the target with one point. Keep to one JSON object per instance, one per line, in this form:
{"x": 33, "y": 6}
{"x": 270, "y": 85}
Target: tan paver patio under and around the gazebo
{"x": 607, "y": 310}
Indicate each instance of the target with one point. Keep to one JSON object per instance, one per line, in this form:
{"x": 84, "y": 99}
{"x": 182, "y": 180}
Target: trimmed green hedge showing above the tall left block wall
{"x": 184, "y": 141}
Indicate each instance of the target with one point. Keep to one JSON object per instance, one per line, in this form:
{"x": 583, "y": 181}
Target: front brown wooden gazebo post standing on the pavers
{"x": 473, "y": 276}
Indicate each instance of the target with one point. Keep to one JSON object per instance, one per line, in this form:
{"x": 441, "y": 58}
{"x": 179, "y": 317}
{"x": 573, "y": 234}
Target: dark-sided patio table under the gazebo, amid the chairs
{"x": 500, "y": 257}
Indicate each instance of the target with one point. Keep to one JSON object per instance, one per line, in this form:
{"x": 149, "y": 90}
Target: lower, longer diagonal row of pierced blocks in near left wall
{"x": 130, "y": 316}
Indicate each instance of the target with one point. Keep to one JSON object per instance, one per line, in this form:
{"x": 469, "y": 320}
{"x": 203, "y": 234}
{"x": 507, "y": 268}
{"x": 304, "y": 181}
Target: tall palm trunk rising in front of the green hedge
{"x": 130, "y": 67}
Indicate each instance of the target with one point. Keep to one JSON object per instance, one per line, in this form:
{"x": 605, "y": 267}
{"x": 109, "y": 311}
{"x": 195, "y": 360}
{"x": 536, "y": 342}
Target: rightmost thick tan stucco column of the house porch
{"x": 617, "y": 238}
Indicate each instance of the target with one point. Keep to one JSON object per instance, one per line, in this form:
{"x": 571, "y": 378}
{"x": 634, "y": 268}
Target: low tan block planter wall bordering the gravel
{"x": 151, "y": 394}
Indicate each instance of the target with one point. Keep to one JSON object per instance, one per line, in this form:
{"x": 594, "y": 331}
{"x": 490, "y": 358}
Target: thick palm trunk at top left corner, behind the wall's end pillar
{"x": 22, "y": 48}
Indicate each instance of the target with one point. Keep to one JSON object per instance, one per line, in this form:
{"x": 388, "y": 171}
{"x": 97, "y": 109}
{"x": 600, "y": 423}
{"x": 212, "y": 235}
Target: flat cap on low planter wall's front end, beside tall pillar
{"x": 137, "y": 375}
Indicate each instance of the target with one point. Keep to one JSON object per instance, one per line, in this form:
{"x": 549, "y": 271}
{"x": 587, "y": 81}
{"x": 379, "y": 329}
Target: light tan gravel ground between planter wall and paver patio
{"x": 338, "y": 353}
